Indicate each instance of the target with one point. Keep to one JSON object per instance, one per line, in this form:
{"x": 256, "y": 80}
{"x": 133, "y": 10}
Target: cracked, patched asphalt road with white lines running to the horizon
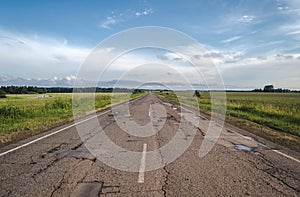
{"x": 57, "y": 163}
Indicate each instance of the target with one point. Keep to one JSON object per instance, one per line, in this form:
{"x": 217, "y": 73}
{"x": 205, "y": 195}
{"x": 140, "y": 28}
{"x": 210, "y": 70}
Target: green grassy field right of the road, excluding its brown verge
{"x": 277, "y": 111}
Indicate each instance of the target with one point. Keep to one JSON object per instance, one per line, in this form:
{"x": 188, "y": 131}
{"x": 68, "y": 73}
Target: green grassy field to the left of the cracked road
{"x": 27, "y": 114}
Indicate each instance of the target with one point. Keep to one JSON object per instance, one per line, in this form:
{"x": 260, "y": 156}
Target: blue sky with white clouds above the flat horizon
{"x": 252, "y": 42}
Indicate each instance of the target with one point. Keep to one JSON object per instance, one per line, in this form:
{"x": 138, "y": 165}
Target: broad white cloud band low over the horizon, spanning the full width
{"x": 46, "y": 61}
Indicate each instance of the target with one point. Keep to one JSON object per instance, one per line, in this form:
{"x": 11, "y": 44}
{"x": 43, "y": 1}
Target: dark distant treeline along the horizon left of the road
{"x": 43, "y": 90}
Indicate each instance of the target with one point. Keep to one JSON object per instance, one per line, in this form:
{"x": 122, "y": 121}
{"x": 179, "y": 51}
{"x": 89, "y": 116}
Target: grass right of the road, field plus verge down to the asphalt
{"x": 273, "y": 116}
